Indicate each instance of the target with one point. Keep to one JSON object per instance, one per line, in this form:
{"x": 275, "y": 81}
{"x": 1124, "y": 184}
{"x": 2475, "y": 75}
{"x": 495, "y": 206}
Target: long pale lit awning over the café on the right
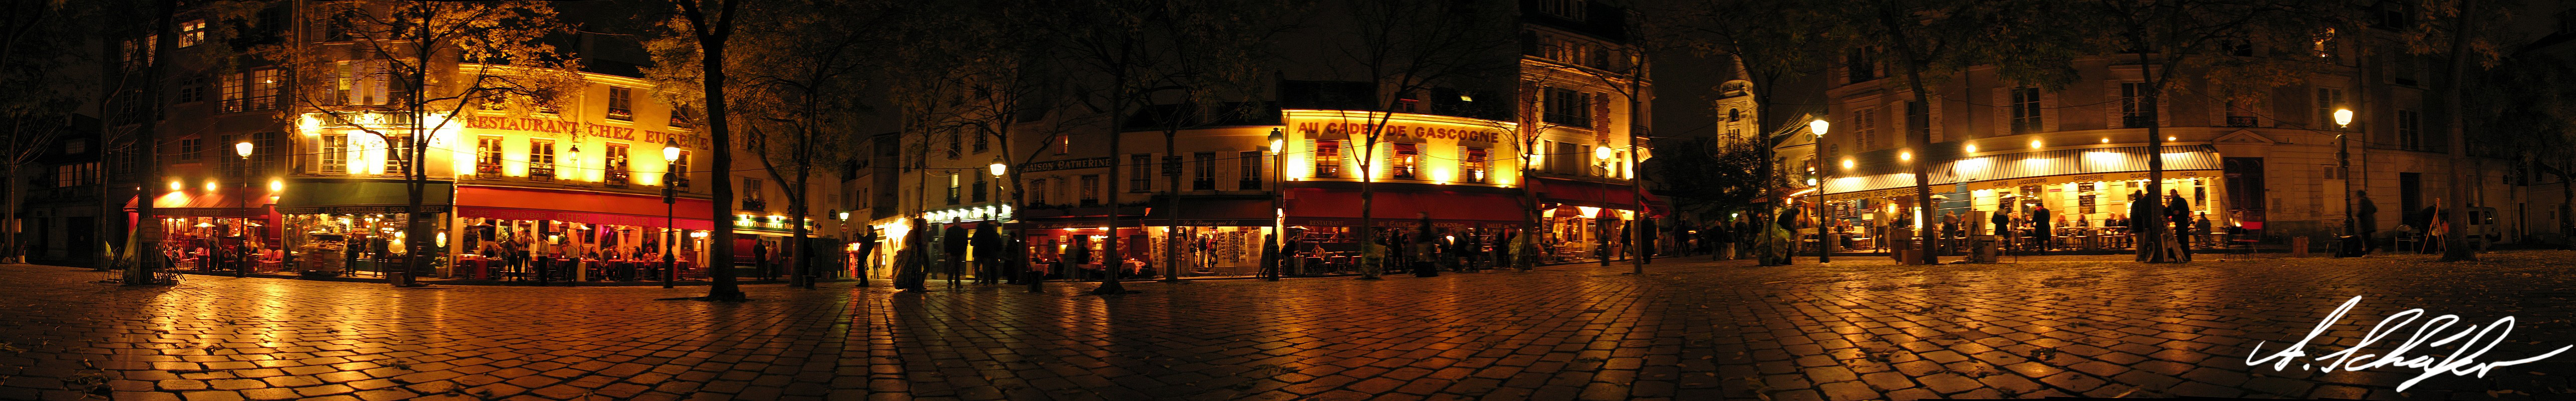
{"x": 2036, "y": 168}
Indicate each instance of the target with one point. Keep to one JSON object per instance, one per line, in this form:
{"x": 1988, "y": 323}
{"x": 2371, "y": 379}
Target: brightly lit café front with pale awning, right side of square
{"x": 2085, "y": 192}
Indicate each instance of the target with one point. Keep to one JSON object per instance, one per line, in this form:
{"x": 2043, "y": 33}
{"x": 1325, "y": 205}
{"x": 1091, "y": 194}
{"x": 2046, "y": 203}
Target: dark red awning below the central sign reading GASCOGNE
{"x": 1318, "y": 207}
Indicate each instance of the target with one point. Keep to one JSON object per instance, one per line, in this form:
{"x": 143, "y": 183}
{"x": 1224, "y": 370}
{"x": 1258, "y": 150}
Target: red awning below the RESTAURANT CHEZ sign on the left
{"x": 532, "y": 204}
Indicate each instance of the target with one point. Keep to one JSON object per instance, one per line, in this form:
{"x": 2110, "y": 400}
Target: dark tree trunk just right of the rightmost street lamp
{"x": 2456, "y": 240}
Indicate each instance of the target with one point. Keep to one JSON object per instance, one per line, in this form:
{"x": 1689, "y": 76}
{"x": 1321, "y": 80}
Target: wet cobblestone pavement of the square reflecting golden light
{"x": 1689, "y": 330}
